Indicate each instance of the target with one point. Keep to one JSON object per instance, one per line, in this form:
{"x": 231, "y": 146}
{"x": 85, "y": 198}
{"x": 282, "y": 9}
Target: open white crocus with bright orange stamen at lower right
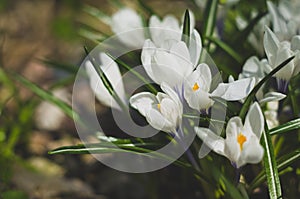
{"x": 241, "y": 145}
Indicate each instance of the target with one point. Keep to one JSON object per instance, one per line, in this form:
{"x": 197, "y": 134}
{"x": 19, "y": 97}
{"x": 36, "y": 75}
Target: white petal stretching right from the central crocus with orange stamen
{"x": 234, "y": 91}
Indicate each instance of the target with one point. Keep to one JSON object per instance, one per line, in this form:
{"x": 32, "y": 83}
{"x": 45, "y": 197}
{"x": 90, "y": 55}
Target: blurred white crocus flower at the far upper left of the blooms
{"x": 128, "y": 26}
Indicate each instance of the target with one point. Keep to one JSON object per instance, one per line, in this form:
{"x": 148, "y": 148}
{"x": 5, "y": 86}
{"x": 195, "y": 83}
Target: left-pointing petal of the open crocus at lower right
{"x": 213, "y": 141}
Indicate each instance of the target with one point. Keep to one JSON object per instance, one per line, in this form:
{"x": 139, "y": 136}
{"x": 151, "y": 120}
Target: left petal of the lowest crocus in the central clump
{"x": 142, "y": 102}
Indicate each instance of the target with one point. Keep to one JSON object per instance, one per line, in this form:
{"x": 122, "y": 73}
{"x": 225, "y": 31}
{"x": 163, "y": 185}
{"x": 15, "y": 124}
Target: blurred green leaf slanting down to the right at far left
{"x": 46, "y": 95}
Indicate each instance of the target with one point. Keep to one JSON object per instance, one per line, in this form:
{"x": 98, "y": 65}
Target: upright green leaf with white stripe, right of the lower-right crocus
{"x": 270, "y": 166}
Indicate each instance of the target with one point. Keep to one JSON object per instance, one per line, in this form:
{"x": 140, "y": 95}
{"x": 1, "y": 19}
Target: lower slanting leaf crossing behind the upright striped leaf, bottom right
{"x": 282, "y": 163}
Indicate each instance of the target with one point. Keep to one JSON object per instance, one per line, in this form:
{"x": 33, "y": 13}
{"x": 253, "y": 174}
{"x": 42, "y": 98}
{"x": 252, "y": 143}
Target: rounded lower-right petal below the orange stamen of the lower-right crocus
{"x": 252, "y": 152}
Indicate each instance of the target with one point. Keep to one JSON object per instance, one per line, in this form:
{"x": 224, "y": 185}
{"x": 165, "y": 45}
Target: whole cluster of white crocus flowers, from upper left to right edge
{"x": 175, "y": 66}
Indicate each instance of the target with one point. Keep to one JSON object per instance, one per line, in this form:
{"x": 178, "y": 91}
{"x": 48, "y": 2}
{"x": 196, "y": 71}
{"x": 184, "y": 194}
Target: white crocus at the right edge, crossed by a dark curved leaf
{"x": 277, "y": 52}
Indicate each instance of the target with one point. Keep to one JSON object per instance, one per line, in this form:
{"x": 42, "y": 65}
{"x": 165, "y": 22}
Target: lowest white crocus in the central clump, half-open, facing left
{"x": 163, "y": 111}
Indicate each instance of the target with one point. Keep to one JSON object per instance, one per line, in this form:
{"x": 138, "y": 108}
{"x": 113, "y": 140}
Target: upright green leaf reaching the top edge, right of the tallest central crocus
{"x": 210, "y": 15}
